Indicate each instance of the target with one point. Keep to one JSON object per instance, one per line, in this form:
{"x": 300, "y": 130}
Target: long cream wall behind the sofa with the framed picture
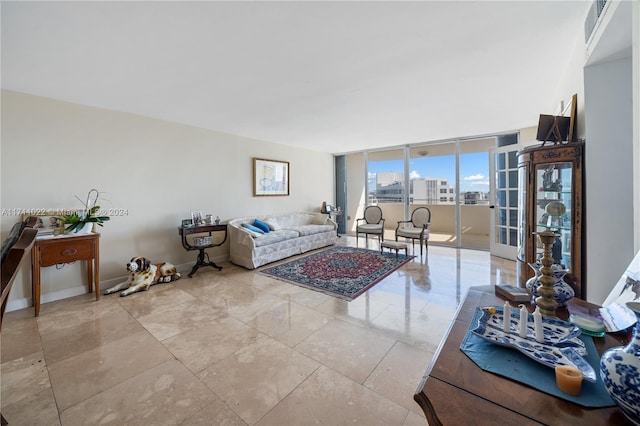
{"x": 158, "y": 171}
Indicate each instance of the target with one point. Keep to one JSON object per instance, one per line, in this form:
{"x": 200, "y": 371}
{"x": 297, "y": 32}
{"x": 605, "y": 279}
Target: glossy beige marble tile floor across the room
{"x": 238, "y": 348}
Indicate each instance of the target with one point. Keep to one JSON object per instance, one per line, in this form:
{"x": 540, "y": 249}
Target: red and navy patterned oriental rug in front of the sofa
{"x": 344, "y": 272}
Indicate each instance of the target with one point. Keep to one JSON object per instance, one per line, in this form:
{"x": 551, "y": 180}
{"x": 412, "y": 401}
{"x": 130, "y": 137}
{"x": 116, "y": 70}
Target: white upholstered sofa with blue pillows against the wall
{"x": 290, "y": 234}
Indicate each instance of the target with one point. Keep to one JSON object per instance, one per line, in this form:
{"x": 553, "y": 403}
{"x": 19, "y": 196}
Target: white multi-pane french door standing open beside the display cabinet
{"x": 503, "y": 182}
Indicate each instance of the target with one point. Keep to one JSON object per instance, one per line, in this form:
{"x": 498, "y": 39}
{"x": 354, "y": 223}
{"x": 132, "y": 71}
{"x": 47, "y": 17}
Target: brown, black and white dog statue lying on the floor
{"x": 144, "y": 275}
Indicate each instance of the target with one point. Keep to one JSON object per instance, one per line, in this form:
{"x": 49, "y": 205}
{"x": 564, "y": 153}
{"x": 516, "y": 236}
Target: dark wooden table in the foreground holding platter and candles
{"x": 455, "y": 391}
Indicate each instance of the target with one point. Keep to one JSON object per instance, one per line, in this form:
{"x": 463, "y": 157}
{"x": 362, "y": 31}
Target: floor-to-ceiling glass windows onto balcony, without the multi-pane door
{"x": 450, "y": 178}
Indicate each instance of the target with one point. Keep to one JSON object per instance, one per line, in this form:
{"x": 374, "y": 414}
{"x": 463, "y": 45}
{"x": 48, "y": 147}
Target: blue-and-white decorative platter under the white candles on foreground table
{"x": 560, "y": 347}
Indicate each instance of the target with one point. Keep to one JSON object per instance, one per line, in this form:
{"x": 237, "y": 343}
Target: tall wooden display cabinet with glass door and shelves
{"x": 550, "y": 191}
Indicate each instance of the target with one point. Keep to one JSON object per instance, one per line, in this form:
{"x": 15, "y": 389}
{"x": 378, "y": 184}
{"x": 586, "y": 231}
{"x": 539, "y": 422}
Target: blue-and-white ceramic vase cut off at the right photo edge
{"x": 620, "y": 372}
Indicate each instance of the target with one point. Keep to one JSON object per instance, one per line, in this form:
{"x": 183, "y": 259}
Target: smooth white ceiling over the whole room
{"x": 329, "y": 76}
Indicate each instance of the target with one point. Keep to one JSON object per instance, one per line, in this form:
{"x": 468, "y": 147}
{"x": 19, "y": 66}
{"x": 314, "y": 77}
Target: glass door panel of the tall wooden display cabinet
{"x": 553, "y": 209}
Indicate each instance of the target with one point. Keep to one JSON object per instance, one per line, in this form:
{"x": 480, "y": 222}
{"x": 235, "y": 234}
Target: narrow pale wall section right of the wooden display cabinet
{"x": 609, "y": 175}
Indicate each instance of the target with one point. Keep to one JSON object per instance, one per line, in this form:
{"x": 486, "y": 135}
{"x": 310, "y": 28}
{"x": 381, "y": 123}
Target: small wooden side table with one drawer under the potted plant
{"x": 65, "y": 249}
